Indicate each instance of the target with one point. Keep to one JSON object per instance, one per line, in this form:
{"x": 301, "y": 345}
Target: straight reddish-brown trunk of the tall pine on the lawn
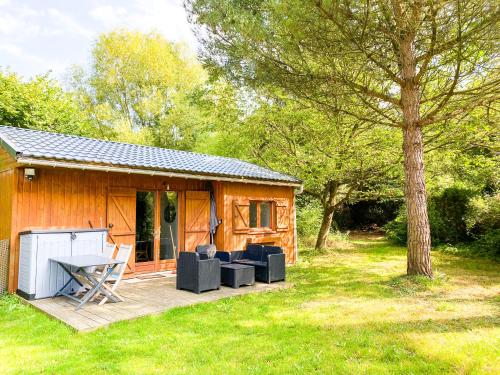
{"x": 419, "y": 239}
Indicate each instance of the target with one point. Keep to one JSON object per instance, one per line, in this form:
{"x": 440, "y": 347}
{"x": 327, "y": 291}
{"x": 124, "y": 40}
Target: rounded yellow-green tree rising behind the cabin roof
{"x": 142, "y": 88}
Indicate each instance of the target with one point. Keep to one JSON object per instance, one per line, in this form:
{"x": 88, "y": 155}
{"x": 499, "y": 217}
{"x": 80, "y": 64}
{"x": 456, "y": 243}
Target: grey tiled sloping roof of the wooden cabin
{"x": 45, "y": 145}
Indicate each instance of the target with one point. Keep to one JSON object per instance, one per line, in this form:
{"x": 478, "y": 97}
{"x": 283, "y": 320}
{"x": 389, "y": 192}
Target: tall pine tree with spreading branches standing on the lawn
{"x": 412, "y": 64}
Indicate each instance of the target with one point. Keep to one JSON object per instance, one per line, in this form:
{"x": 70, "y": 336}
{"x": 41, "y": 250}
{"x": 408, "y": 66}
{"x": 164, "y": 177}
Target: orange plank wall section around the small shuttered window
{"x": 238, "y": 241}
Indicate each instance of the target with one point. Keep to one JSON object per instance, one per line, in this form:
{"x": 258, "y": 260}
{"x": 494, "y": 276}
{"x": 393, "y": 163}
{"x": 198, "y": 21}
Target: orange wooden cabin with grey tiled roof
{"x": 160, "y": 200}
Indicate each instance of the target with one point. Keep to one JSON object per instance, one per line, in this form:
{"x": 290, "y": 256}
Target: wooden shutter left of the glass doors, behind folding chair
{"x": 121, "y": 220}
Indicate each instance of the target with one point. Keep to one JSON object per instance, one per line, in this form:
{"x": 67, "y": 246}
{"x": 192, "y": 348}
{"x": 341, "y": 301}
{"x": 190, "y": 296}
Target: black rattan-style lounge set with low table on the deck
{"x": 206, "y": 269}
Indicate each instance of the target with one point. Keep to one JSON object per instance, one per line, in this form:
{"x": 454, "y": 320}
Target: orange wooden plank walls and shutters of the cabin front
{"x": 64, "y": 198}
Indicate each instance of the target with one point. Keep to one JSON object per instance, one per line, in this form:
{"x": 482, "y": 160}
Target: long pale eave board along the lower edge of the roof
{"x": 32, "y": 161}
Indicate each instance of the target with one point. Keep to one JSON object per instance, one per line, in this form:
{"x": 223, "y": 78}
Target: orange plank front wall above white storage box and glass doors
{"x": 67, "y": 198}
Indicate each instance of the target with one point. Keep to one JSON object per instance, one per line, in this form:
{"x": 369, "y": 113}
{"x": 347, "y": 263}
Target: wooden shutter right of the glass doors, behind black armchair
{"x": 197, "y": 219}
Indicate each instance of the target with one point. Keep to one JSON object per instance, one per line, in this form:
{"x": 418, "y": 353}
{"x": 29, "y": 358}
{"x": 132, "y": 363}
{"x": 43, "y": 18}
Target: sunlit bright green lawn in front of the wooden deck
{"x": 255, "y": 333}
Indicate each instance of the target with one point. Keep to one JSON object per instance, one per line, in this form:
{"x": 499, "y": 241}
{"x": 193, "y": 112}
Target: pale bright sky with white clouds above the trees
{"x": 51, "y": 35}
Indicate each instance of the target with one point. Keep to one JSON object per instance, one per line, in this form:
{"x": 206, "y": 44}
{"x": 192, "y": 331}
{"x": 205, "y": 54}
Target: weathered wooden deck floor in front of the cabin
{"x": 142, "y": 297}
